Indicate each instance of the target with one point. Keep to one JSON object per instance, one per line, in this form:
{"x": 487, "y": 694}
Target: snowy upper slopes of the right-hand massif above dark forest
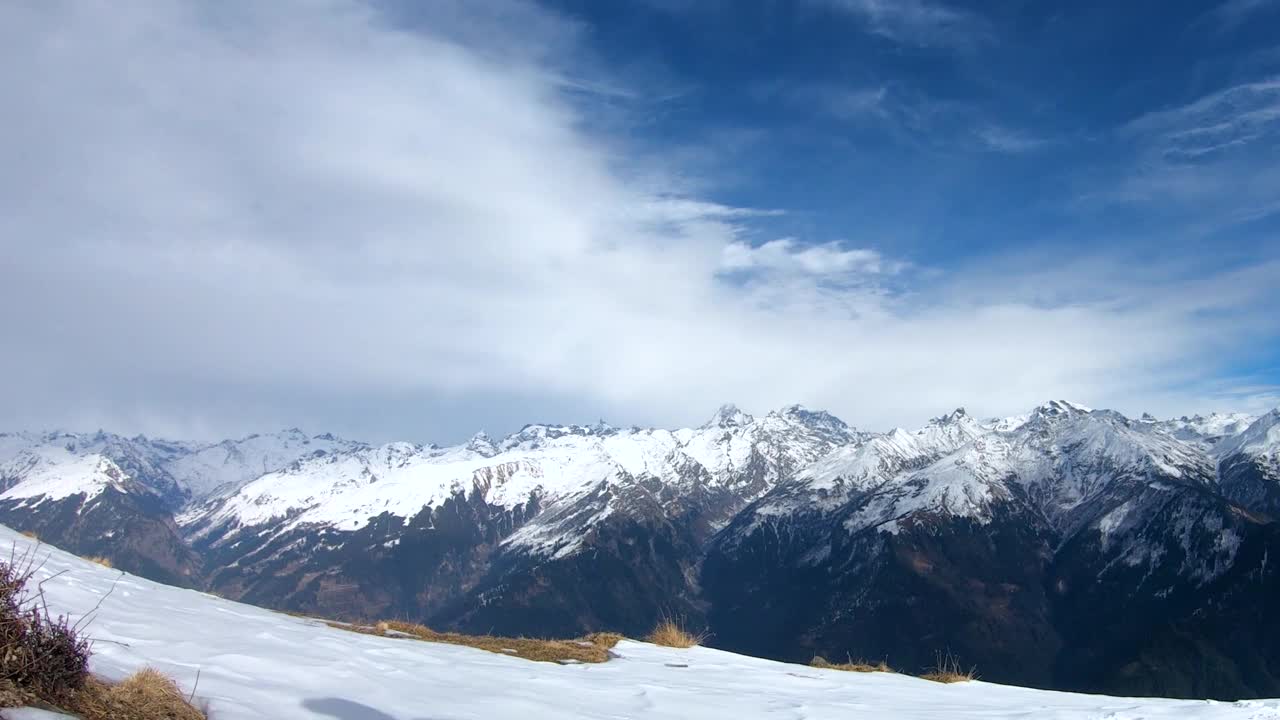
{"x": 1062, "y": 455}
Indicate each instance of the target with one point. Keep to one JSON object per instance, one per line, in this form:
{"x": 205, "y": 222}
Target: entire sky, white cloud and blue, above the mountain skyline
{"x": 414, "y": 221}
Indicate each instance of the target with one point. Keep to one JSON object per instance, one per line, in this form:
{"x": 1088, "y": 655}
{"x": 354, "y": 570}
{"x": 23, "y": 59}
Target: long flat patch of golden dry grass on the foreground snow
{"x": 592, "y": 649}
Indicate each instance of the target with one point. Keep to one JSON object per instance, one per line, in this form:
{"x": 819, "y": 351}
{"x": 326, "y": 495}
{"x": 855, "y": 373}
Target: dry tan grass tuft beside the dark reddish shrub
{"x": 148, "y": 695}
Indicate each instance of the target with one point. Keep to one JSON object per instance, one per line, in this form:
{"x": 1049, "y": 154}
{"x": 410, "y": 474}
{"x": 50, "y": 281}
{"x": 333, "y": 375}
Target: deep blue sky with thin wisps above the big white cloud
{"x": 947, "y": 133}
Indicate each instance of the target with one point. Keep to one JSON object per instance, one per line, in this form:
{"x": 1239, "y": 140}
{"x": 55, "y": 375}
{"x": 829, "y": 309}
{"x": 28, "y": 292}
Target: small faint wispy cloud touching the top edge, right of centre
{"x": 918, "y": 22}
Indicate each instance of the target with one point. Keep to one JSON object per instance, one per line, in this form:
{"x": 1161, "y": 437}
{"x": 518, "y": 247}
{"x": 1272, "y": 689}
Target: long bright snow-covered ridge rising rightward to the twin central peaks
{"x": 555, "y": 466}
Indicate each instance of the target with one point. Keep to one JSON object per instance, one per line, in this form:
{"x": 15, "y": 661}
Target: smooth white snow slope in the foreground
{"x": 255, "y": 664}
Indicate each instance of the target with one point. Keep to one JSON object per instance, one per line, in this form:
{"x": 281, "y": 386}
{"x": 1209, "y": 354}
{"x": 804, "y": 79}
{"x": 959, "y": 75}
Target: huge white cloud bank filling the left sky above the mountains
{"x": 221, "y": 218}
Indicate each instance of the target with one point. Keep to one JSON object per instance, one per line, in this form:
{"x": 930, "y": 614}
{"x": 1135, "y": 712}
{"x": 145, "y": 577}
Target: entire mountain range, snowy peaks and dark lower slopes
{"x": 1067, "y": 549}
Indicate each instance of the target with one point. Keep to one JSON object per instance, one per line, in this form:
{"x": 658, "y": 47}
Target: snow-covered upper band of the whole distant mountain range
{"x": 323, "y": 480}
